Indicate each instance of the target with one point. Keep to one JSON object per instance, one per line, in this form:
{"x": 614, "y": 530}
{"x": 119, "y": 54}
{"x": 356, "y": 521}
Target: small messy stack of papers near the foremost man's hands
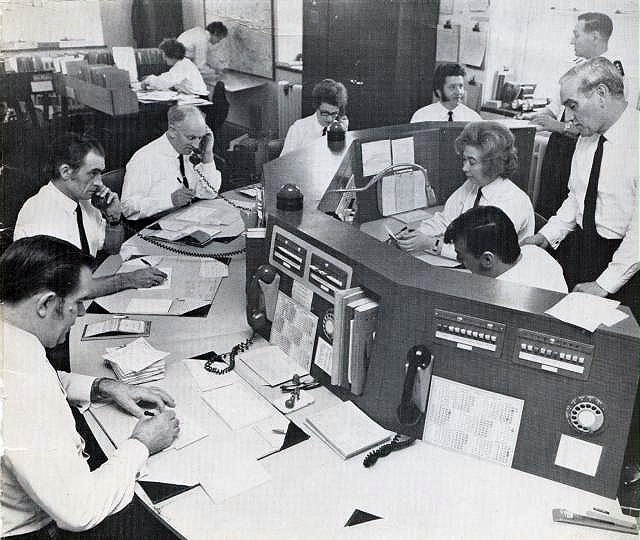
{"x": 137, "y": 362}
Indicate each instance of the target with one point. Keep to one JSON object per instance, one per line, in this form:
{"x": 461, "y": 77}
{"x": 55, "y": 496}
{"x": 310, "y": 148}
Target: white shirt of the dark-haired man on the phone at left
{"x": 52, "y": 213}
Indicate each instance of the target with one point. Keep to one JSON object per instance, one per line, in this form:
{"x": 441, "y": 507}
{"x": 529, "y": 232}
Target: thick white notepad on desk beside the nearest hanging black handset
{"x": 346, "y": 429}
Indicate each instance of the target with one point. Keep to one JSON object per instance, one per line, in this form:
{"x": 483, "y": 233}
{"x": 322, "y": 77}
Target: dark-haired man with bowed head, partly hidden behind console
{"x": 486, "y": 243}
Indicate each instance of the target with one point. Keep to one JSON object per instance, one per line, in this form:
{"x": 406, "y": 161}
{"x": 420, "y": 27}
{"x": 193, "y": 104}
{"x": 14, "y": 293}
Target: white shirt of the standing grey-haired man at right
{"x": 617, "y": 198}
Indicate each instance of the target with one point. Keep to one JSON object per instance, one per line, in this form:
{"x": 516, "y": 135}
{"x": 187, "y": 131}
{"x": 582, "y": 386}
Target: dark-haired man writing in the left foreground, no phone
{"x": 46, "y": 482}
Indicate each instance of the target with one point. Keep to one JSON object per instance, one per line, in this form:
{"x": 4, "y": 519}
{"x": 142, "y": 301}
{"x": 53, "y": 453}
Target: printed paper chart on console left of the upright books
{"x": 294, "y": 330}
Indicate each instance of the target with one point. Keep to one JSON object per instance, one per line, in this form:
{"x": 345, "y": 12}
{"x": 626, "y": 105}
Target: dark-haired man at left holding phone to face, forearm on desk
{"x": 77, "y": 207}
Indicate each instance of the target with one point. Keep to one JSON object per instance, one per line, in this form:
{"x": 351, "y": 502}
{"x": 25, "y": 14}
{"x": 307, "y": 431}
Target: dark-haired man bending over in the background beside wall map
{"x": 199, "y": 44}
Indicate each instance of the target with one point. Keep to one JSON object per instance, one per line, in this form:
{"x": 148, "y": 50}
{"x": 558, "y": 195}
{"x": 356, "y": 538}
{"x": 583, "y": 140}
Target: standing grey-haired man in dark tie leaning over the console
{"x": 596, "y": 228}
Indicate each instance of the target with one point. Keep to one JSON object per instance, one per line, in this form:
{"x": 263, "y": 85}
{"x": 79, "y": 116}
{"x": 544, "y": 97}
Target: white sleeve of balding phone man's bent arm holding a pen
{"x": 138, "y": 198}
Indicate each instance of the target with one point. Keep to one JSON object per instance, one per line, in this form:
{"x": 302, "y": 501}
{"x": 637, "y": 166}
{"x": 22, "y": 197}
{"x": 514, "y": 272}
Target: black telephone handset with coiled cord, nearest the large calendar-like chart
{"x": 413, "y": 403}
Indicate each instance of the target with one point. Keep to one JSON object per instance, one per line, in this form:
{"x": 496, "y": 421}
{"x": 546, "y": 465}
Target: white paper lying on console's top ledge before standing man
{"x": 584, "y": 310}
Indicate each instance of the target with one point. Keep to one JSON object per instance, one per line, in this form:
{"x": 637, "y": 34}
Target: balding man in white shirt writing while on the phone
{"x": 158, "y": 176}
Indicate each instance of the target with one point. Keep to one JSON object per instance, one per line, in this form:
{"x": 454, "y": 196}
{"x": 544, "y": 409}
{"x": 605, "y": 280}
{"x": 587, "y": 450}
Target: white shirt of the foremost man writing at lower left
{"x": 44, "y": 473}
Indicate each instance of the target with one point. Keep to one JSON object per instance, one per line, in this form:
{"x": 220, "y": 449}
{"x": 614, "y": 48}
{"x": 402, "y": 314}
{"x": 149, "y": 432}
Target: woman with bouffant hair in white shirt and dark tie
{"x": 488, "y": 158}
